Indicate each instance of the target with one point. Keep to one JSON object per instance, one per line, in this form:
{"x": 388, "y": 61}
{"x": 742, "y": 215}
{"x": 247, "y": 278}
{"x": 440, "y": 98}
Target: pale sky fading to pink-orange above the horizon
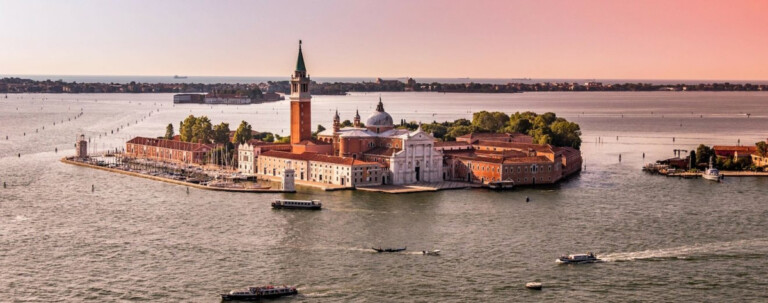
{"x": 650, "y": 39}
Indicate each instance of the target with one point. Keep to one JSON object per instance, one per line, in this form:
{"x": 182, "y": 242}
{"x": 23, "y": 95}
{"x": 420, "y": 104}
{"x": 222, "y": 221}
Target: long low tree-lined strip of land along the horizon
{"x": 20, "y": 85}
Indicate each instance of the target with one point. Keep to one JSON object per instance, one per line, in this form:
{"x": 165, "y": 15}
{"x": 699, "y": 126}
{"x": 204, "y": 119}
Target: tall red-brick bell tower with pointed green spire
{"x": 301, "y": 110}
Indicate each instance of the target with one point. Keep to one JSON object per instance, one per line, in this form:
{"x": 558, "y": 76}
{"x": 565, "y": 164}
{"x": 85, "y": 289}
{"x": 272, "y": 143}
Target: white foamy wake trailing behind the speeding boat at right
{"x": 733, "y": 248}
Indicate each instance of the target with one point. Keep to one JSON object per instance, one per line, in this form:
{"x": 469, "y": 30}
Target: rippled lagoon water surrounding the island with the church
{"x": 137, "y": 240}
